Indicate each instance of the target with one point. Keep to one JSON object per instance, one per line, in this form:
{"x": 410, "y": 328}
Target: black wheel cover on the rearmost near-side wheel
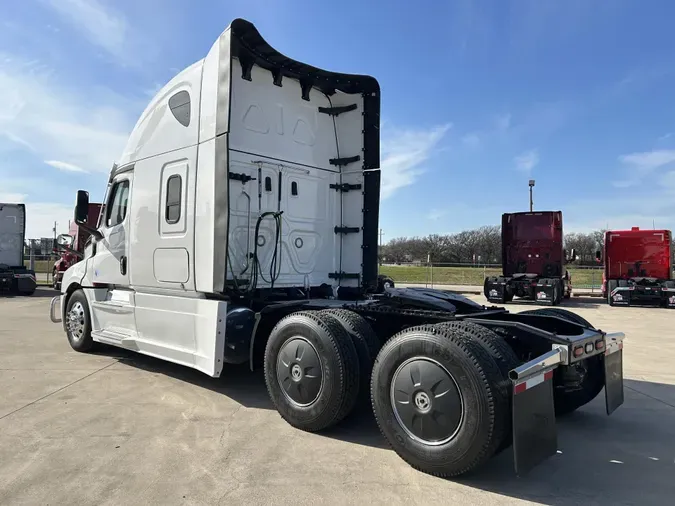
{"x": 426, "y": 401}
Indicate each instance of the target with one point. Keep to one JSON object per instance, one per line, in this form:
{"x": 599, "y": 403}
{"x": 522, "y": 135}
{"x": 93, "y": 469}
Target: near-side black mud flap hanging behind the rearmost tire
{"x": 535, "y": 437}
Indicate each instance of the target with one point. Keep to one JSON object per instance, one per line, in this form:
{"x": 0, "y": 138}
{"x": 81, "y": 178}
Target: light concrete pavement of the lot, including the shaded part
{"x": 118, "y": 428}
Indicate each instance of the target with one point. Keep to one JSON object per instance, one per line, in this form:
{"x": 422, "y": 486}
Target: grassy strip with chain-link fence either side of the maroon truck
{"x": 586, "y": 278}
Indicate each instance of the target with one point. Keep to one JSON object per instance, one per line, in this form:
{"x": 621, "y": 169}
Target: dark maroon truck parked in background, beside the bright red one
{"x": 533, "y": 260}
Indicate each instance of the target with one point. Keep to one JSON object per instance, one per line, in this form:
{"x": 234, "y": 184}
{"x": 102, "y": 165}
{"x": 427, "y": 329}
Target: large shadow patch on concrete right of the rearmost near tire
{"x": 626, "y": 458}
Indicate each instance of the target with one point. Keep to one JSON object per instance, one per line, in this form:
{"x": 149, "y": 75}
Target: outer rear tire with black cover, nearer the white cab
{"x": 311, "y": 370}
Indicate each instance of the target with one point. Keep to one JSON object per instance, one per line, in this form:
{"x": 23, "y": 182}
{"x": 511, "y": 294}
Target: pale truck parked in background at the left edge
{"x": 15, "y": 278}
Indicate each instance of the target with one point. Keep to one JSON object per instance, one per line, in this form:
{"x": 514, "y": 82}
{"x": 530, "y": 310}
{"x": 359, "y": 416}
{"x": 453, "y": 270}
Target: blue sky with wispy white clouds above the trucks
{"x": 477, "y": 97}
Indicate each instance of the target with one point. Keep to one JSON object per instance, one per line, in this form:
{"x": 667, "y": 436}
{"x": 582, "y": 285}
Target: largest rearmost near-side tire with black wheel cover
{"x": 458, "y": 396}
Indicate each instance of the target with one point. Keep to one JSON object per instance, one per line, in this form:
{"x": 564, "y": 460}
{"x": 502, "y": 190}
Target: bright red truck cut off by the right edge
{"x": 638, "y": 268}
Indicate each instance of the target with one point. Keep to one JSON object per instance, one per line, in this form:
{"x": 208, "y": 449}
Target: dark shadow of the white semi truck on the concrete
{"x": 626, "y": 458}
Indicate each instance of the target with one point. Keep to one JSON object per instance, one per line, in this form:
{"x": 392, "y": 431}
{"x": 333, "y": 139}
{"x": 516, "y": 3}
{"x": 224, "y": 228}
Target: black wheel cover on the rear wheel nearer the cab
{"x": 299, "y": 371}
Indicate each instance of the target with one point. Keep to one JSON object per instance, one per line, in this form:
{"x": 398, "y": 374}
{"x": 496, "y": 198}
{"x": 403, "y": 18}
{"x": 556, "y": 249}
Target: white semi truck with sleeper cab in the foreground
{"x": 240, "y": 225}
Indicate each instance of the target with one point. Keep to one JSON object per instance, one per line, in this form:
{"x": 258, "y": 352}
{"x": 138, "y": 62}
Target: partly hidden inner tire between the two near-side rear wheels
{"x": 365, "y": 341}
